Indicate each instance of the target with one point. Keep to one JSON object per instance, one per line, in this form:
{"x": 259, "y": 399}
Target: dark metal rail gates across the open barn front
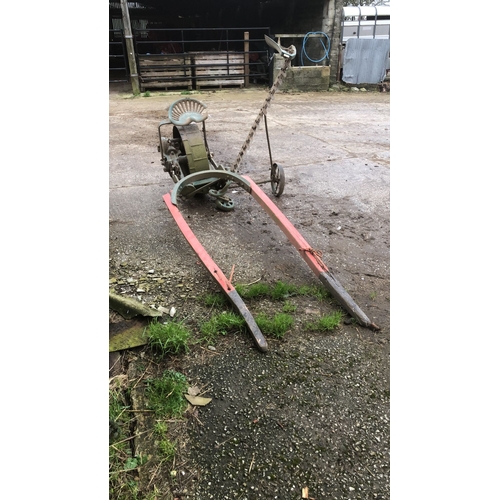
{"x": 193, "y": 58}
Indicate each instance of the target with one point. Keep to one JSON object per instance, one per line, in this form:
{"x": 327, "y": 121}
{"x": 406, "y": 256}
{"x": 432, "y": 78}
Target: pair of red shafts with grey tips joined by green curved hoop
{"x": 311, "y": 256}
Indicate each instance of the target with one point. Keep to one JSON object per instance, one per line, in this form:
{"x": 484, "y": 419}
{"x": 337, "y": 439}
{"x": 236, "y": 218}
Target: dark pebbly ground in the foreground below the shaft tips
{"x": 312, "y": 413}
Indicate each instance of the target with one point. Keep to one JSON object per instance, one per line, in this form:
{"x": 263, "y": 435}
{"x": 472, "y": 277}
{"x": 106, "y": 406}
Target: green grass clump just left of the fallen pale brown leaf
{"x": 166, "y": 394}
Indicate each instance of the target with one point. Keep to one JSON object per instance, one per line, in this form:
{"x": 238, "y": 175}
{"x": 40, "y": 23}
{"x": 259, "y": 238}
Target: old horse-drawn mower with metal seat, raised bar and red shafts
{"x": 189, "y": 162}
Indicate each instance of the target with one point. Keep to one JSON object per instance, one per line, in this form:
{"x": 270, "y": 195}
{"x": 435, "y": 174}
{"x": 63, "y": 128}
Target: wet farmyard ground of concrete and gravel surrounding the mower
{"x": 325, "y": 394}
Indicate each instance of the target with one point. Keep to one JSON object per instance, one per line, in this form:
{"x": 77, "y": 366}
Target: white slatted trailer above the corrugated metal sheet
{"x": 365, "y": 22}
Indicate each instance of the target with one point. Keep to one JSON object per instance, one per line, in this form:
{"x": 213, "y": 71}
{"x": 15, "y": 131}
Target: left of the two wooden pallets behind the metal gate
{"x": 165, "y": 71}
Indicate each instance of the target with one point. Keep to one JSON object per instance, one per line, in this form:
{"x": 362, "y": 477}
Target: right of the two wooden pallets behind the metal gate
{"x": 219, "y": 69}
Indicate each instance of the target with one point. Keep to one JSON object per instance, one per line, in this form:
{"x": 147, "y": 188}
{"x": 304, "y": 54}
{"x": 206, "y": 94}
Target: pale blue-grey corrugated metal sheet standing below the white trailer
{"x": 365, "y": 60}
